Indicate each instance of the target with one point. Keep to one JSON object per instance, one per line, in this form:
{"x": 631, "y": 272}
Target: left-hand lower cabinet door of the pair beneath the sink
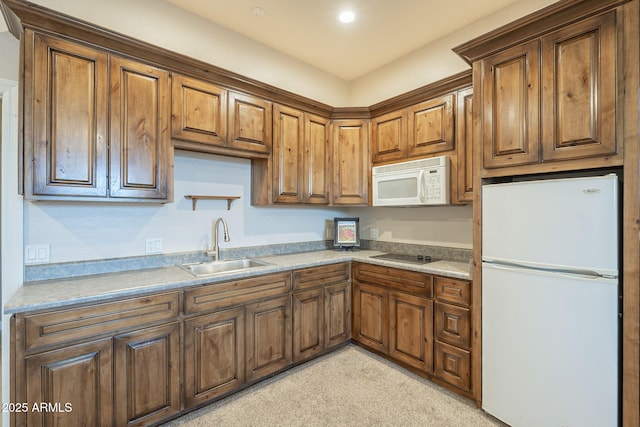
{"x": 213, "y": 355}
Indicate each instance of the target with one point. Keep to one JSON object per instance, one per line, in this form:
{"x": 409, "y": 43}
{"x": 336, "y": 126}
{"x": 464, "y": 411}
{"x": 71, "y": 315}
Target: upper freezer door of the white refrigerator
{"x": 569, "y": 223}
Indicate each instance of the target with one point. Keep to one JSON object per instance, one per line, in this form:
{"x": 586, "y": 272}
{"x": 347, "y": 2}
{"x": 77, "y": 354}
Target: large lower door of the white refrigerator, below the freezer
{"x": 550, "y": 348}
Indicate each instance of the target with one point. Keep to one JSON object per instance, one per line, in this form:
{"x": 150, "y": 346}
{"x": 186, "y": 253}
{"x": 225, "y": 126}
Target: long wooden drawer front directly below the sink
{"x": 225, "y": 294}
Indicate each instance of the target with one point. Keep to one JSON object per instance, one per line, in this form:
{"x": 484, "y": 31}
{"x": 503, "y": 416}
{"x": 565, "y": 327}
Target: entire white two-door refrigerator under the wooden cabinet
{"x": 550, "y": 302}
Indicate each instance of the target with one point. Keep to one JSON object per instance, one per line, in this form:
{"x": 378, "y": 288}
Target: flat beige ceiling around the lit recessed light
{"x": 308, "y": 30}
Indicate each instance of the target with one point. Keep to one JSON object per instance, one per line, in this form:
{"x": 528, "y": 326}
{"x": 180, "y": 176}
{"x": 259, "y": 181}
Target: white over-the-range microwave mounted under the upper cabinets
{"x": 412, "y": 183}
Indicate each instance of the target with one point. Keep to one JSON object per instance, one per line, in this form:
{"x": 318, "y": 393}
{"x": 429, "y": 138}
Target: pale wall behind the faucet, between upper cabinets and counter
{"x": 83, "y": 231}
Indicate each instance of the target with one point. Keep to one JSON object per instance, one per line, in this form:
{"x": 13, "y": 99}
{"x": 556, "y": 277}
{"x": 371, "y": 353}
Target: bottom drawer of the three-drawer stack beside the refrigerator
{"x": 452, "y": 365}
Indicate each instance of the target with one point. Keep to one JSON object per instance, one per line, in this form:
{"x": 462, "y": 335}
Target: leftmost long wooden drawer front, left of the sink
{"x": 100, "y": 319}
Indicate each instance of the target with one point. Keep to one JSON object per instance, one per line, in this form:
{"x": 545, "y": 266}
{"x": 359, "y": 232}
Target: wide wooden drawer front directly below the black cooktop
{"x": 395, "y": 278}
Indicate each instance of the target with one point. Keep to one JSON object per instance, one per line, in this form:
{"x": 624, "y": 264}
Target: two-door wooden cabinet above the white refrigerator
{"x": 550, "y": 104}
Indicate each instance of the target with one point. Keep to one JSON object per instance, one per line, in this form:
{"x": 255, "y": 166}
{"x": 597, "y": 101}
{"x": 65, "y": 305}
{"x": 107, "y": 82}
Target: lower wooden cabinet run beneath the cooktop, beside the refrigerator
{"x": 420, "y": 321}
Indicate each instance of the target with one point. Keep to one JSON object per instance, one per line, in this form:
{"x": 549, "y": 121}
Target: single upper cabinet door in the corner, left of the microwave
{"x": 351, "y": 162}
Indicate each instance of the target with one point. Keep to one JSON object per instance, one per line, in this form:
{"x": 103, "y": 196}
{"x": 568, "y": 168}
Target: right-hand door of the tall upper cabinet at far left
{"x": 140, "y": 148}
